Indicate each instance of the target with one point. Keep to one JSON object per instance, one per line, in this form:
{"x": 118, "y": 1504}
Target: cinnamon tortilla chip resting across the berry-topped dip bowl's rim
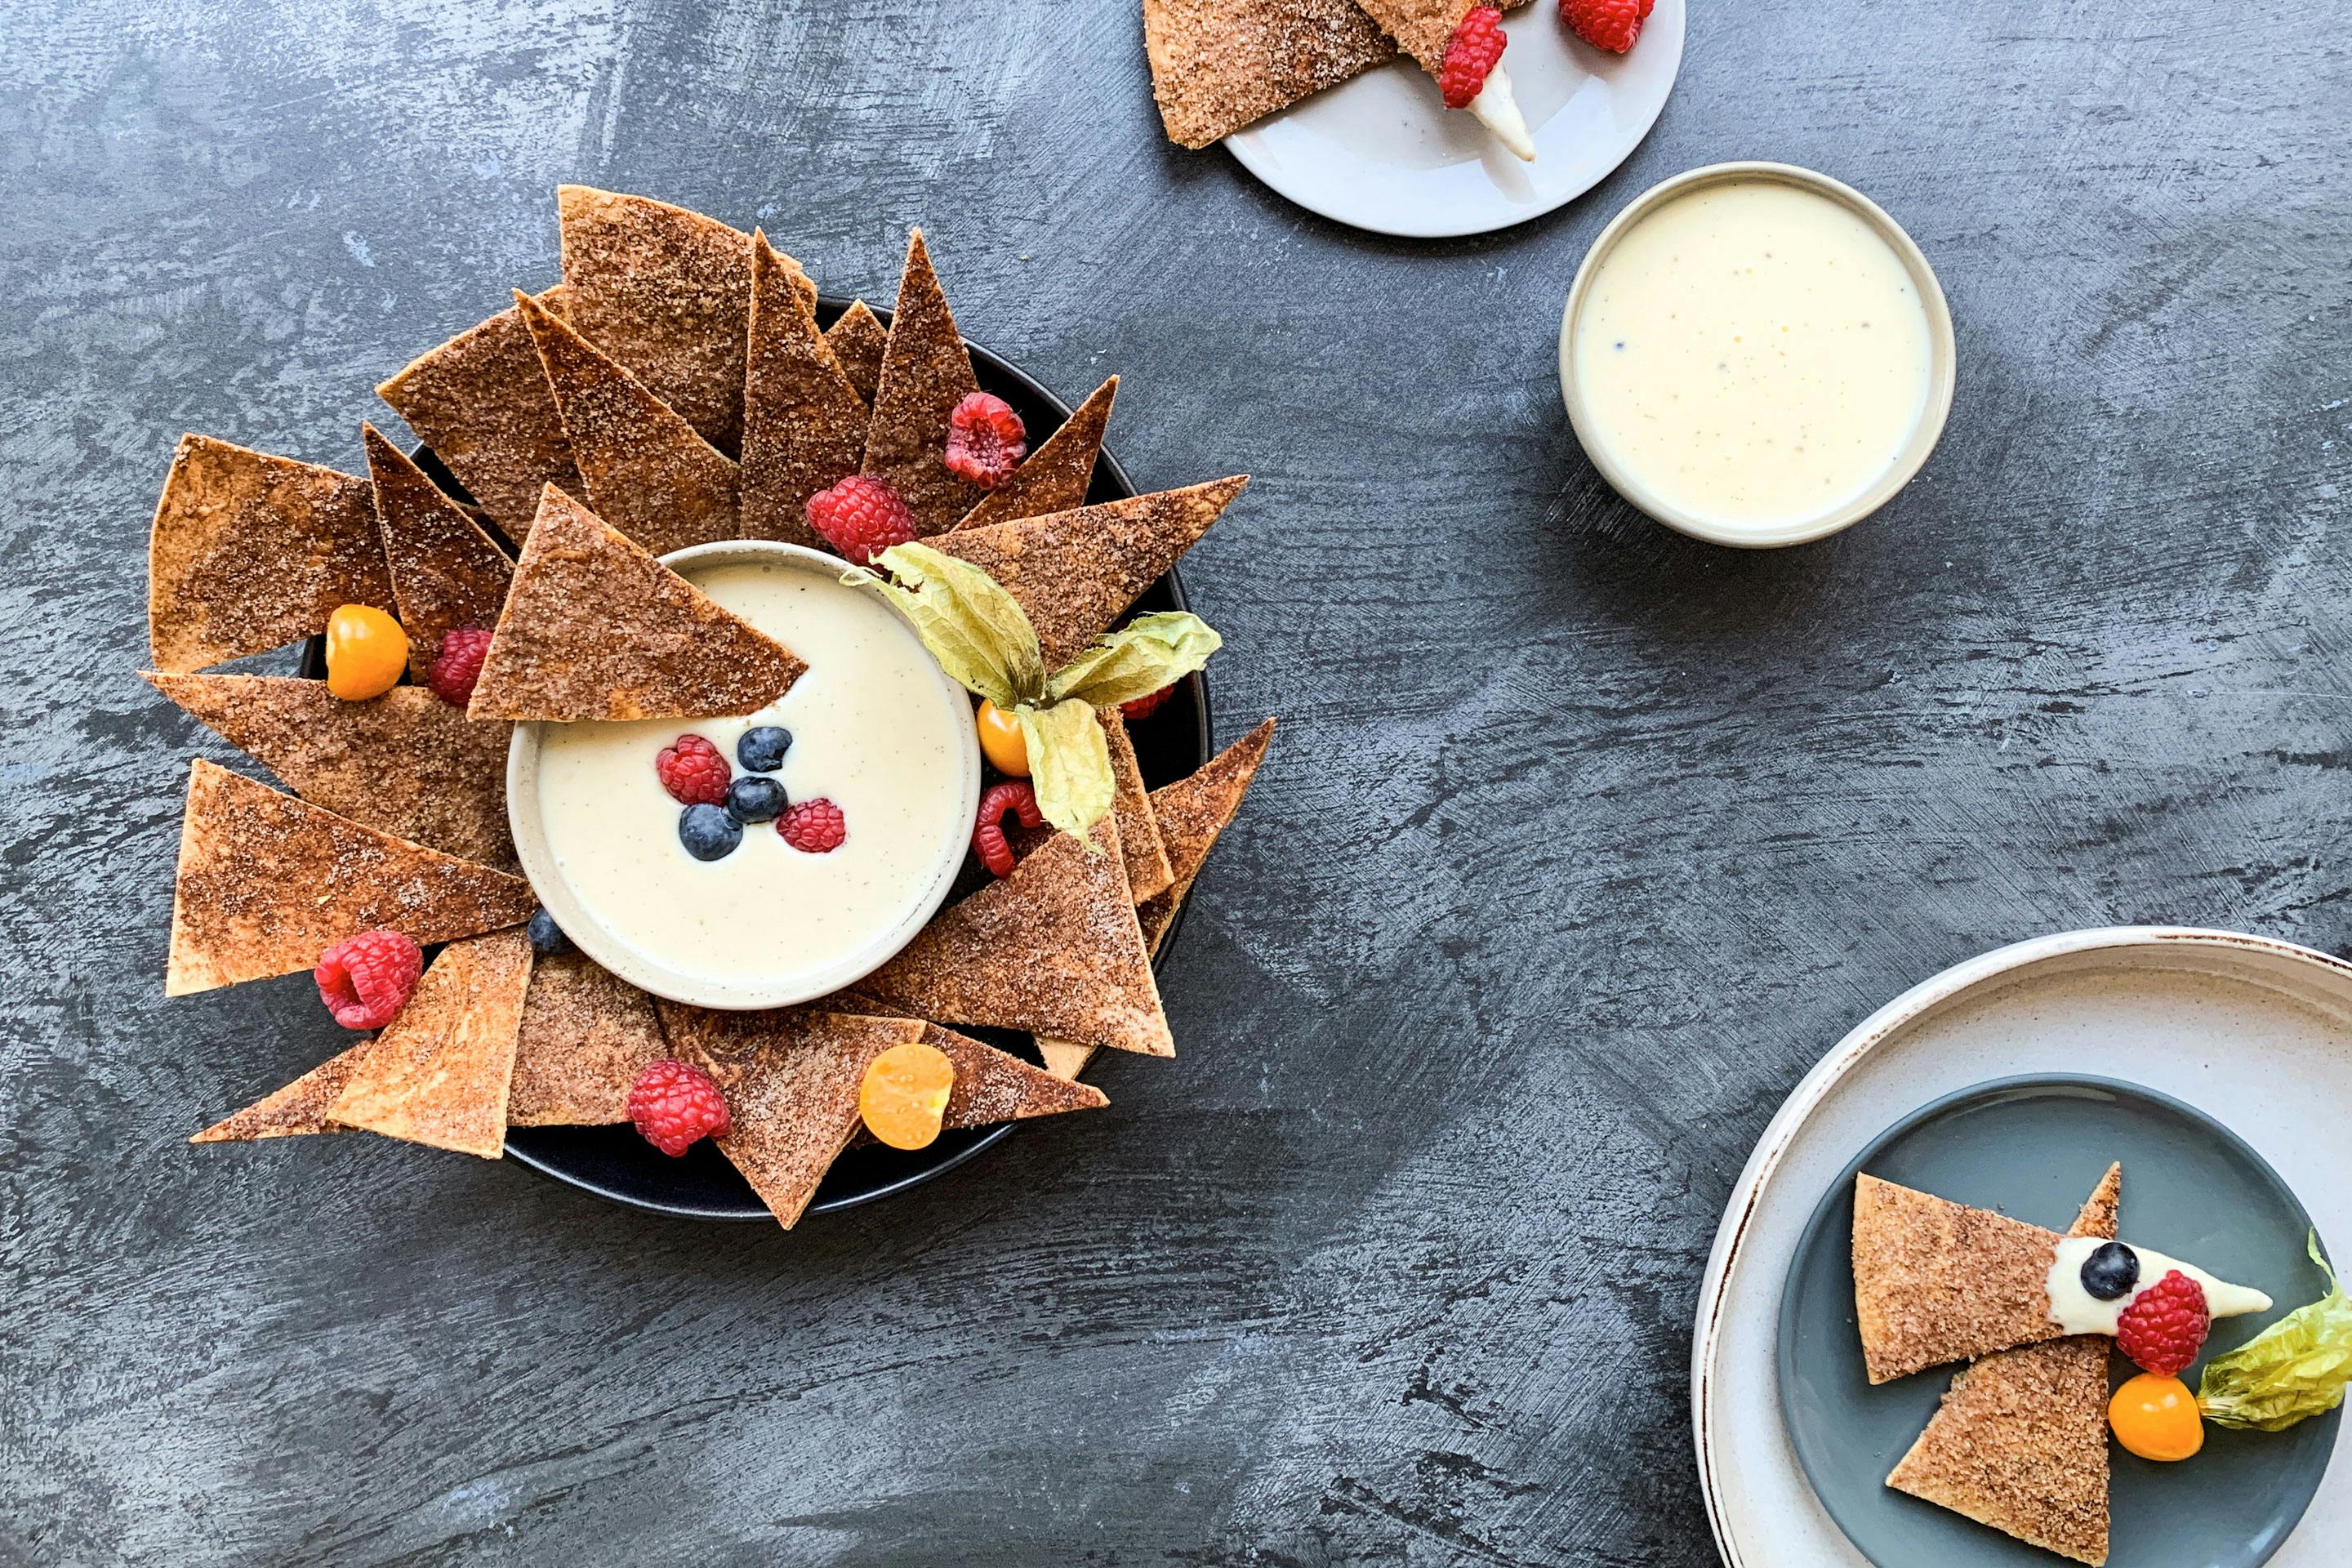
{"x": 596, "y": 629}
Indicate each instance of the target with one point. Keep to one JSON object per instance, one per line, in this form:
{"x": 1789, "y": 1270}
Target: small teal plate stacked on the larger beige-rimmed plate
{"x": 2033, "y": 1148}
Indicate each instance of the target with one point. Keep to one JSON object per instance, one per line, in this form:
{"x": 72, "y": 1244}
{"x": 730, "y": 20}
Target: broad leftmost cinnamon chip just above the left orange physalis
{"x": 253, "y": 551}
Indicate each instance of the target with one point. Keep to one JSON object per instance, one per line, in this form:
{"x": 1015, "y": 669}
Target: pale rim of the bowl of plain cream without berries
{"x": 1944, "y": 361}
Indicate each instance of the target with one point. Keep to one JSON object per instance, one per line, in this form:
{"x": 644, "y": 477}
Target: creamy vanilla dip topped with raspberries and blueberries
{"x": 876, "y": 730}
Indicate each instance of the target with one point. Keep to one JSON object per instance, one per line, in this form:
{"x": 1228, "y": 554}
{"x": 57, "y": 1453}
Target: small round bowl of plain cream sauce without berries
{"x": 1756, "y": 356}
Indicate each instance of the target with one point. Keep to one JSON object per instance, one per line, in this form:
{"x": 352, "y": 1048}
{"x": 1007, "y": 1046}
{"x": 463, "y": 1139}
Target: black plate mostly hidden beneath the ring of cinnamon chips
{"x": 617, "y": 1165}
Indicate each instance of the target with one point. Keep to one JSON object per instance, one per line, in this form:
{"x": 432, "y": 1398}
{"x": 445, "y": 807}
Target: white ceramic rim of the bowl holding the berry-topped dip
{"x": 761, "y": 991}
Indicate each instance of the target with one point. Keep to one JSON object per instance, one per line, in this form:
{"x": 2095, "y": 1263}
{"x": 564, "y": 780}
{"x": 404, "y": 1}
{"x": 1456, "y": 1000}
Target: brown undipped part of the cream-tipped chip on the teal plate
{"x": 1939, "y": 1282}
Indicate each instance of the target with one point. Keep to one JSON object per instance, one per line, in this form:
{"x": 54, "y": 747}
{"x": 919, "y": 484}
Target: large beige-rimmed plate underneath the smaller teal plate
{"x": 2252, "y": 1031}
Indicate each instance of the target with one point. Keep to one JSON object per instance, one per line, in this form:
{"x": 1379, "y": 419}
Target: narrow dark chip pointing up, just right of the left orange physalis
{"x": 448, "y": 572}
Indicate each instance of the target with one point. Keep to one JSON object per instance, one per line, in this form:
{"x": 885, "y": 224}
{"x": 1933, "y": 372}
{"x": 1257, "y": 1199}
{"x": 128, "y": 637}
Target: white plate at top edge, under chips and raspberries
{"x": 1389, "y": 156}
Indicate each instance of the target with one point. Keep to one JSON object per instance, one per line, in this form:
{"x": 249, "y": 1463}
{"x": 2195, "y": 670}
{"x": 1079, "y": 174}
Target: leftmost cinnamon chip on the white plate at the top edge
{"x": 1224, "y": 65}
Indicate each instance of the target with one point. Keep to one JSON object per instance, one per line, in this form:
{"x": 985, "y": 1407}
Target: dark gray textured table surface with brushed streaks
{"x": 1579, "y": 845}
